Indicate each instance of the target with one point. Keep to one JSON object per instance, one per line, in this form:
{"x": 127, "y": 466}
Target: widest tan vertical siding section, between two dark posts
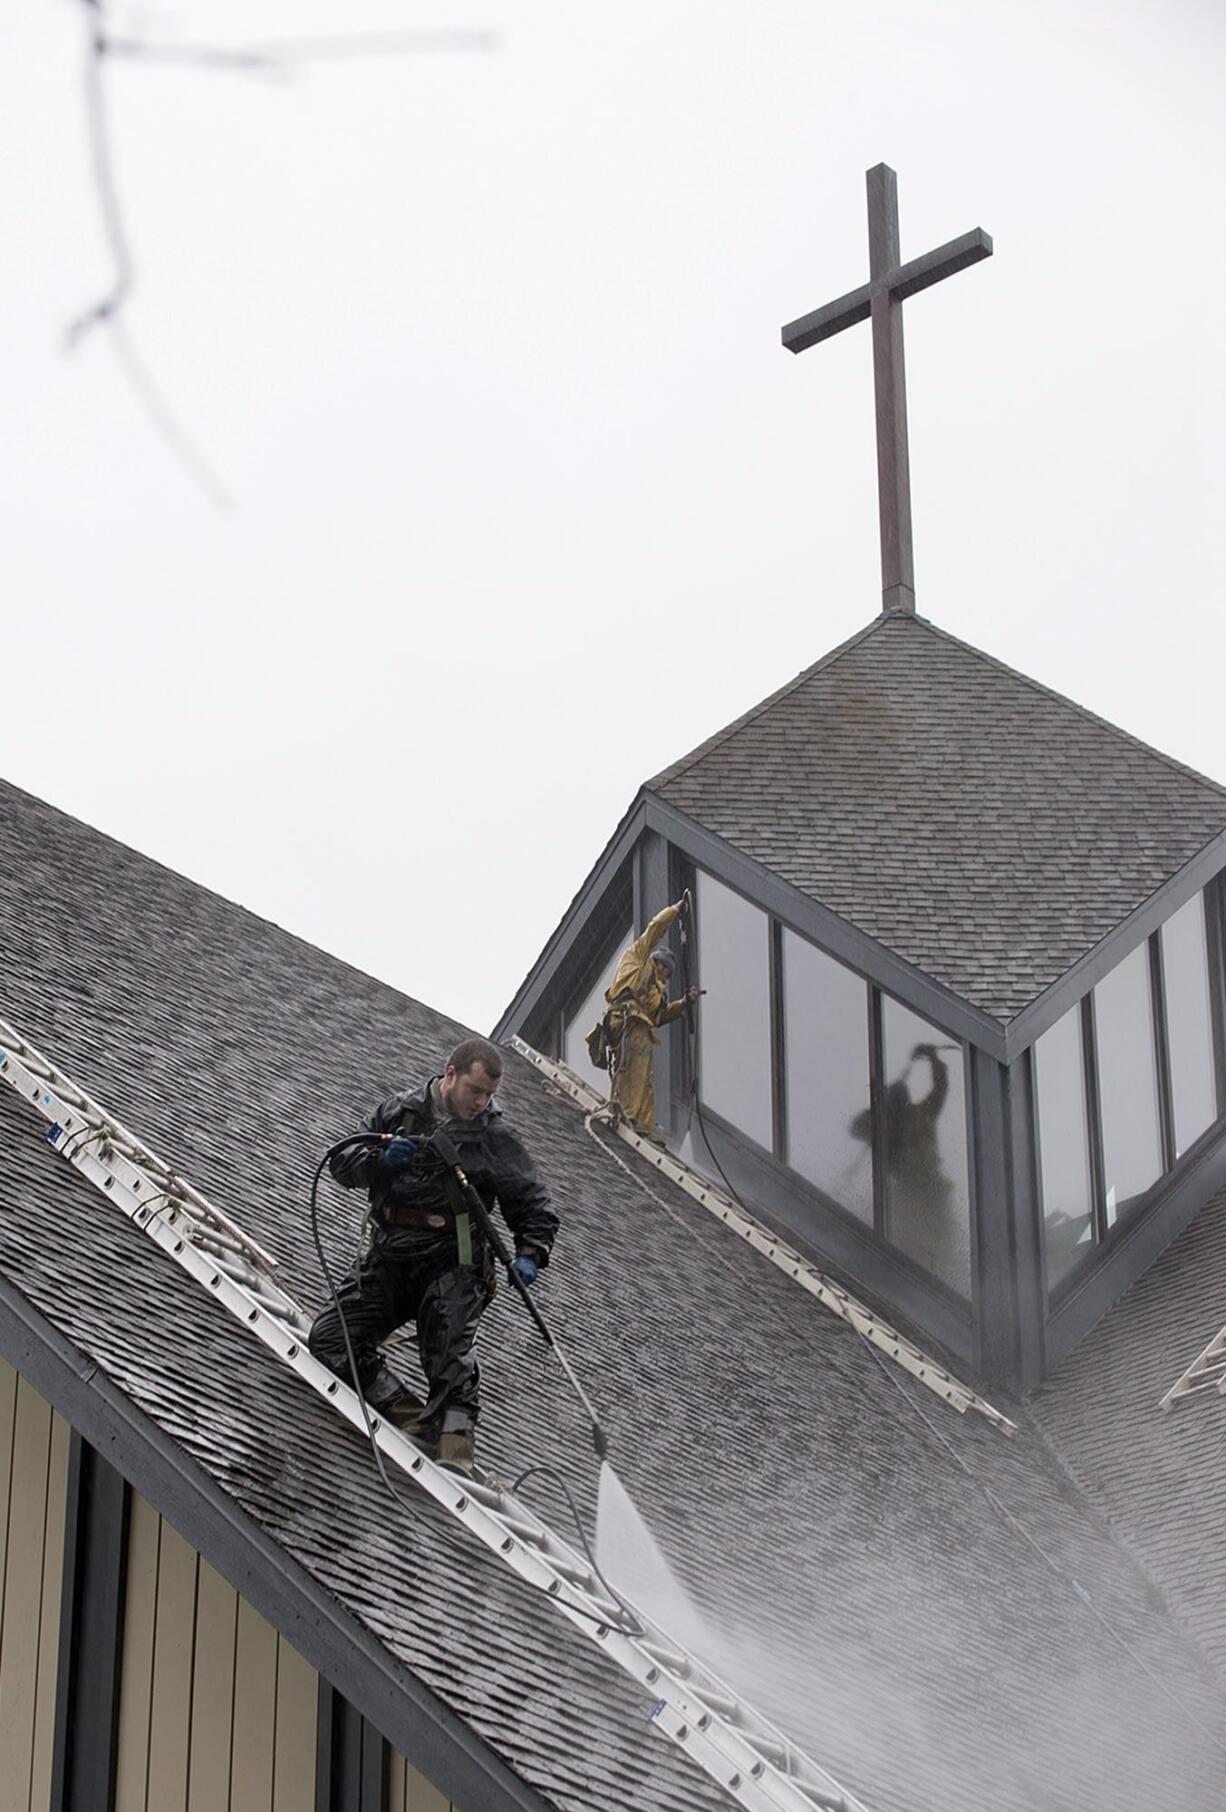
{"x": 218, "y": 1711}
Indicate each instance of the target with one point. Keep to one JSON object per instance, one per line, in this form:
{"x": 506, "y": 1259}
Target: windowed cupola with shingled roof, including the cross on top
{"x": 964, "y": 1032}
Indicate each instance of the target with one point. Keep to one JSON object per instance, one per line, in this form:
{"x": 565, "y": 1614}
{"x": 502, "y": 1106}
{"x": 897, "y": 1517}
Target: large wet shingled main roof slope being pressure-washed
{"x": 894, "y": 1583}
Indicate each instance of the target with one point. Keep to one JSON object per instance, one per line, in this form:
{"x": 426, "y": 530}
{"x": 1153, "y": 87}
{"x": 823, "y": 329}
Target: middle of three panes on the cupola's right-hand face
{"x": 1127, "y": 1070}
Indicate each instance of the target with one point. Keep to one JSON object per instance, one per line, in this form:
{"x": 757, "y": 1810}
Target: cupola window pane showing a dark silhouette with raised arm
{"x": 928, "y": 1206}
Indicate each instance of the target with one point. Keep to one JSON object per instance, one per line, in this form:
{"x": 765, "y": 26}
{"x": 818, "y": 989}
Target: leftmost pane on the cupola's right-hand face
{"x": 1064, "y": 1146}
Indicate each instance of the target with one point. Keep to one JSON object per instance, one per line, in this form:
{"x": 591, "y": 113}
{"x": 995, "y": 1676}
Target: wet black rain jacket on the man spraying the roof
{"x": 492, "y": 1155}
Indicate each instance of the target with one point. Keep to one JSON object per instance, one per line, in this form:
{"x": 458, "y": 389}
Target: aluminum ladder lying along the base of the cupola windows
{"x": 847, "y": 1306}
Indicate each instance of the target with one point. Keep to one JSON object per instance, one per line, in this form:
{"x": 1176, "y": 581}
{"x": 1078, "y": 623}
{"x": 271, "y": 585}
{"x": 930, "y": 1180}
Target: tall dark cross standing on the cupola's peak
{"x": 881, "y": 300}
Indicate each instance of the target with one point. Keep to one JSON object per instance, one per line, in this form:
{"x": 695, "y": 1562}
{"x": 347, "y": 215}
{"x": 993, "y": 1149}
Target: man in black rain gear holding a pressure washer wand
{"x": 428, "y": 1260}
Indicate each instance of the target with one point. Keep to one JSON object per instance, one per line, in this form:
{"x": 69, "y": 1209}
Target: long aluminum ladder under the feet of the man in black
{"x": 740, "y": 1749}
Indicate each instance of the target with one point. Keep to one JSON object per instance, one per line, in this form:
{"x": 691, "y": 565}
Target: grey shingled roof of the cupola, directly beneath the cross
{"x": 979, "y": 825}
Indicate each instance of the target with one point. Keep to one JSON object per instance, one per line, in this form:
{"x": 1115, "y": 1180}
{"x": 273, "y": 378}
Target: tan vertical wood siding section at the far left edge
{"x": 34, "y": 1492}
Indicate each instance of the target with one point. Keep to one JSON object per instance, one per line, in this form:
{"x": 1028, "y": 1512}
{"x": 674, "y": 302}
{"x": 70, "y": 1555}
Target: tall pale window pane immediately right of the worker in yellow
{"x": 734, "y": 1016}
